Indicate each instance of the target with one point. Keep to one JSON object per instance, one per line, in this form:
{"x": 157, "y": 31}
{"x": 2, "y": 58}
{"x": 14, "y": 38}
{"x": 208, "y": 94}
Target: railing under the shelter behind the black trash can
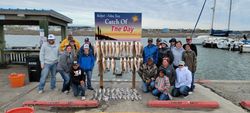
{"x": 16, "y": 56}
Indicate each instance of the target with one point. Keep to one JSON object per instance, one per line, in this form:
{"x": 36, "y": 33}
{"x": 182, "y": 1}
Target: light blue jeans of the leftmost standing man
{"x": 44, "y": 74}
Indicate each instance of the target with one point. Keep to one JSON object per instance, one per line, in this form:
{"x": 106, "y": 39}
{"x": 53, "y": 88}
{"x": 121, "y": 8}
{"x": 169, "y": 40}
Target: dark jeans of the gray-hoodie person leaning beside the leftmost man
{"x": 66, "y": 79}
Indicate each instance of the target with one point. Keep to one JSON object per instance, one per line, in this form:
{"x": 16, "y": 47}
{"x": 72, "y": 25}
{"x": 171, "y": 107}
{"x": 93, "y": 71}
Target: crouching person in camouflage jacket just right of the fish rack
{"x": 148, "y": 72}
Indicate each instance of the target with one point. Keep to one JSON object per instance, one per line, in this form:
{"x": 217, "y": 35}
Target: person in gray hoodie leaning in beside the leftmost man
{"x": 65, "y": 62}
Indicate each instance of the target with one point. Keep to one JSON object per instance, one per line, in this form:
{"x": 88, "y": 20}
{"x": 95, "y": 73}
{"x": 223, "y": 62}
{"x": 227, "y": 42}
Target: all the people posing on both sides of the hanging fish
{"x": 167, "y": 70}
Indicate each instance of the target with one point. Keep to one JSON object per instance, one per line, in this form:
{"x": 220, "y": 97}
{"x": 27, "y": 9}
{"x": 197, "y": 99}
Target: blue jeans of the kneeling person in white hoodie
{"x": 183, "y": 90}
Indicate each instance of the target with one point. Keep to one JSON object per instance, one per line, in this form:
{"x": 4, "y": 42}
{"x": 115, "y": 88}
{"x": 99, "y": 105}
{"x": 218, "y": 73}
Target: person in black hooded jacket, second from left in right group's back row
{"x": 164, "y": 51}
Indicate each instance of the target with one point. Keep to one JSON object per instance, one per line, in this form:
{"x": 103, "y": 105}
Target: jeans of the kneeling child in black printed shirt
{"x": 78, "y": 89}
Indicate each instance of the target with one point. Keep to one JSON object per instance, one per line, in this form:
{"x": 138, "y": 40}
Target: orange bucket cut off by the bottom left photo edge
{"x": 21, "y": 110}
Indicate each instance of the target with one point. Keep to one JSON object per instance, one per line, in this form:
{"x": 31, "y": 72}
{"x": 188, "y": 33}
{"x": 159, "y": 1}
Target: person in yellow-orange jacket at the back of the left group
{"x": 66, "y": 42}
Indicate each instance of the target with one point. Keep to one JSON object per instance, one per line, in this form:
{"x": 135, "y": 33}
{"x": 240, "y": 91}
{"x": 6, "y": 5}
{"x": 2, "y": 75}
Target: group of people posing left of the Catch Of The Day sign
{"x": 74, "y": 63}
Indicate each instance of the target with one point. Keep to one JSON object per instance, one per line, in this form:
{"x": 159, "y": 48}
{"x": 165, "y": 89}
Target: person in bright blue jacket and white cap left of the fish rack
{"x": 87, "y": 62}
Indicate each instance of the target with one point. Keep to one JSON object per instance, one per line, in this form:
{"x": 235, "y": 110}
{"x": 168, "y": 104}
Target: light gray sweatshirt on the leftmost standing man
{"x": 49, "y": 54}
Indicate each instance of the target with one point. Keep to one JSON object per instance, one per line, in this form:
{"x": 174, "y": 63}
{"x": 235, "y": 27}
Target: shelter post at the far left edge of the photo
{"x": 2, "y": 45}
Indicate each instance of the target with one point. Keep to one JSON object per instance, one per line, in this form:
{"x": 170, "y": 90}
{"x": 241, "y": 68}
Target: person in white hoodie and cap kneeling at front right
{"x": 183, "y": 81}
